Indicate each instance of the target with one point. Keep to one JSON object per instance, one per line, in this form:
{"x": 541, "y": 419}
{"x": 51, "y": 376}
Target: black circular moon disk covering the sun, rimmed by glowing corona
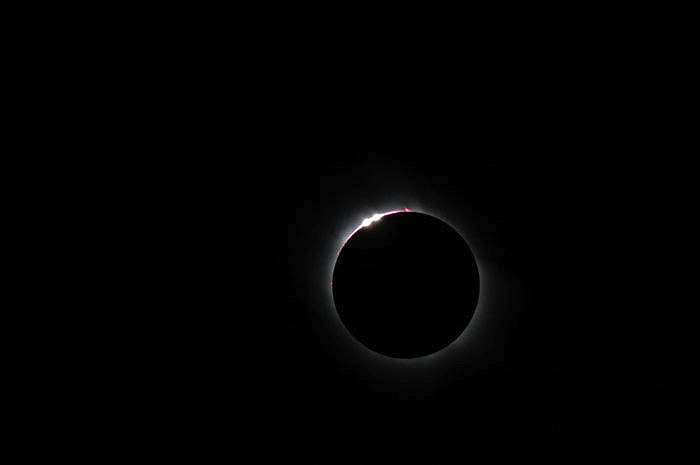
{"x": 406, "y": 285}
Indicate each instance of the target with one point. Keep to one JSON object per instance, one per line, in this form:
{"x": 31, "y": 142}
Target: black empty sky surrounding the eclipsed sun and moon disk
{"x": 183, "y": 187}
